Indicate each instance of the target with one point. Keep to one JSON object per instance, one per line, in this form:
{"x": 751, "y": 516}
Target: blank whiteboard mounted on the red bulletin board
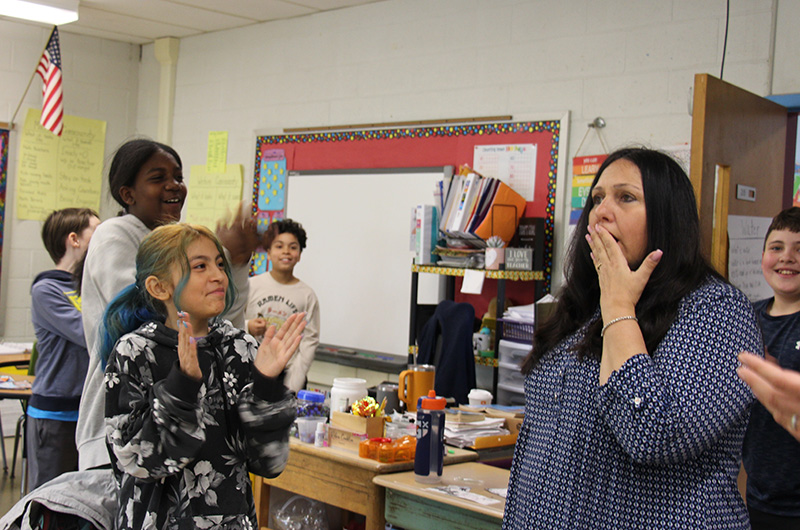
{"x": 357, "y": 257}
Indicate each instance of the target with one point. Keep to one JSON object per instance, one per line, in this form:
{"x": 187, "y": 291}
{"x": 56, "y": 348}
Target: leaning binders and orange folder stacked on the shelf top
{"x": 477, "y": 208}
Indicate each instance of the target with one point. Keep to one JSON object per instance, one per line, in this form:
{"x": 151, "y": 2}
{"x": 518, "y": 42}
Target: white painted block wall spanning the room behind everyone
{"x": 629, "y": 61}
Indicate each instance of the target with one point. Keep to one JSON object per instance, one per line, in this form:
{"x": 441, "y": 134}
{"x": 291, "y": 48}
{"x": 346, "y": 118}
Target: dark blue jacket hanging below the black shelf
{"x": 446, "y": 342}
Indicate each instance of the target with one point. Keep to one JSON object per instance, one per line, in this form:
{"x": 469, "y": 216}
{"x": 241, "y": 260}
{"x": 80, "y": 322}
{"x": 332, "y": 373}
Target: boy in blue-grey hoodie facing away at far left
{"x": 62, "y": 355}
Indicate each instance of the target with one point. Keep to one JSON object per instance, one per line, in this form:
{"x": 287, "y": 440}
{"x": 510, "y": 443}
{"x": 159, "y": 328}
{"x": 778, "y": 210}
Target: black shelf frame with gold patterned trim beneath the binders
{"x": 451, "y": 272}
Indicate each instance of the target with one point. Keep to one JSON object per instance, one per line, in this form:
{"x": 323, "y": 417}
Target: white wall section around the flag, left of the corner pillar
{"x": 100, "y": 80}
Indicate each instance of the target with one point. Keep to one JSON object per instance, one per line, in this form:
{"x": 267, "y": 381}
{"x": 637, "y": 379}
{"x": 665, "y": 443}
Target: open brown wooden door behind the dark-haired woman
{"x": 745, "y": 135}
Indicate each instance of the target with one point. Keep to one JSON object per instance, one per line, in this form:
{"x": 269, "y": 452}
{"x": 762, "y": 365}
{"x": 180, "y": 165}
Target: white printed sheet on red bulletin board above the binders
{"x": 513, "y": 164}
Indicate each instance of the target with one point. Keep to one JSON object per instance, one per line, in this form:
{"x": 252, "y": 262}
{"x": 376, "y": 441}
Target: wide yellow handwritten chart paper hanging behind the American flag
{"x": 59, "y": 172}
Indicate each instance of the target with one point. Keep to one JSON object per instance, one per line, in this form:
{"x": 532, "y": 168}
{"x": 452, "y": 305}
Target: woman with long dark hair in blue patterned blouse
{"x": 634, "y": 414}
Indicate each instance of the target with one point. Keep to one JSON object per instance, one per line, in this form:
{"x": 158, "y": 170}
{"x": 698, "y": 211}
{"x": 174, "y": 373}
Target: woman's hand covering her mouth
{"x": 620, "y": 287}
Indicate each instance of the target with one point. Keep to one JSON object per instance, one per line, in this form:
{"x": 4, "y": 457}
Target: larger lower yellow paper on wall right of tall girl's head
{"x": 213, "y": 195}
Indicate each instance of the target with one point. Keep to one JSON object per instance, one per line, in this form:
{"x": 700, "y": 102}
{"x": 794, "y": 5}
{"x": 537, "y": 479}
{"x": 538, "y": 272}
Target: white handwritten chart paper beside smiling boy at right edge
{"x": 746, "y": 242}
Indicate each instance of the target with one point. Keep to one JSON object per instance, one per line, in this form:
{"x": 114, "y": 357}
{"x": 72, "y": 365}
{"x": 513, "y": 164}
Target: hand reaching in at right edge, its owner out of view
{"x": 776, "y": 388}
